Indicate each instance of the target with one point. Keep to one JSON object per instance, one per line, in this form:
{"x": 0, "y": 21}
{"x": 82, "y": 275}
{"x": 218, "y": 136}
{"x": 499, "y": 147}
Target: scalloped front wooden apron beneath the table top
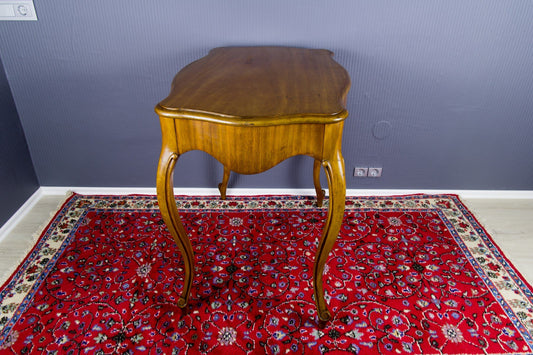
{"x": 253, "y": 149}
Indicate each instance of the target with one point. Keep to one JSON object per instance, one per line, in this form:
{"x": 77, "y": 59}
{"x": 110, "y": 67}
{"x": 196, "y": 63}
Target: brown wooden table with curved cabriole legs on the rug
{"x": 251, "y": 108}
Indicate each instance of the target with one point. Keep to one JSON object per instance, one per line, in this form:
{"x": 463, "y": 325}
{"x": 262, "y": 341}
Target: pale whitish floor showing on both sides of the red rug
{"x": 508, "y": 221}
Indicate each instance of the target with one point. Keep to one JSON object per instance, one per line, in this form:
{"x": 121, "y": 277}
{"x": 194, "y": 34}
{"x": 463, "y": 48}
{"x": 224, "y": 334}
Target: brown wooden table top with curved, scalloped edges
{"x": 260, "y": 86}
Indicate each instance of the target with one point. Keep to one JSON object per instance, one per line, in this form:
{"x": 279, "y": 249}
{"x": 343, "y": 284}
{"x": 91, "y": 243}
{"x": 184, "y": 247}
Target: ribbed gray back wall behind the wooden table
{"x": 441, "y": 90}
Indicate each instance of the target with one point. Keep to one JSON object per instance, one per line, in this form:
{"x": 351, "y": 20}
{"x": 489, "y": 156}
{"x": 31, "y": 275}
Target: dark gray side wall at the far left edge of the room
{"x": 17, "y": 177}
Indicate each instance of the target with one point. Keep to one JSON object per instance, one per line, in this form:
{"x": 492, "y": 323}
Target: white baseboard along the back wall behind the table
{"x": 485, "y": 194}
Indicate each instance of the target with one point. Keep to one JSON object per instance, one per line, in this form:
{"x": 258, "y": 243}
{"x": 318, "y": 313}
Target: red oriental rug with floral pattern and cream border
{"x": 409, "y": 274}
